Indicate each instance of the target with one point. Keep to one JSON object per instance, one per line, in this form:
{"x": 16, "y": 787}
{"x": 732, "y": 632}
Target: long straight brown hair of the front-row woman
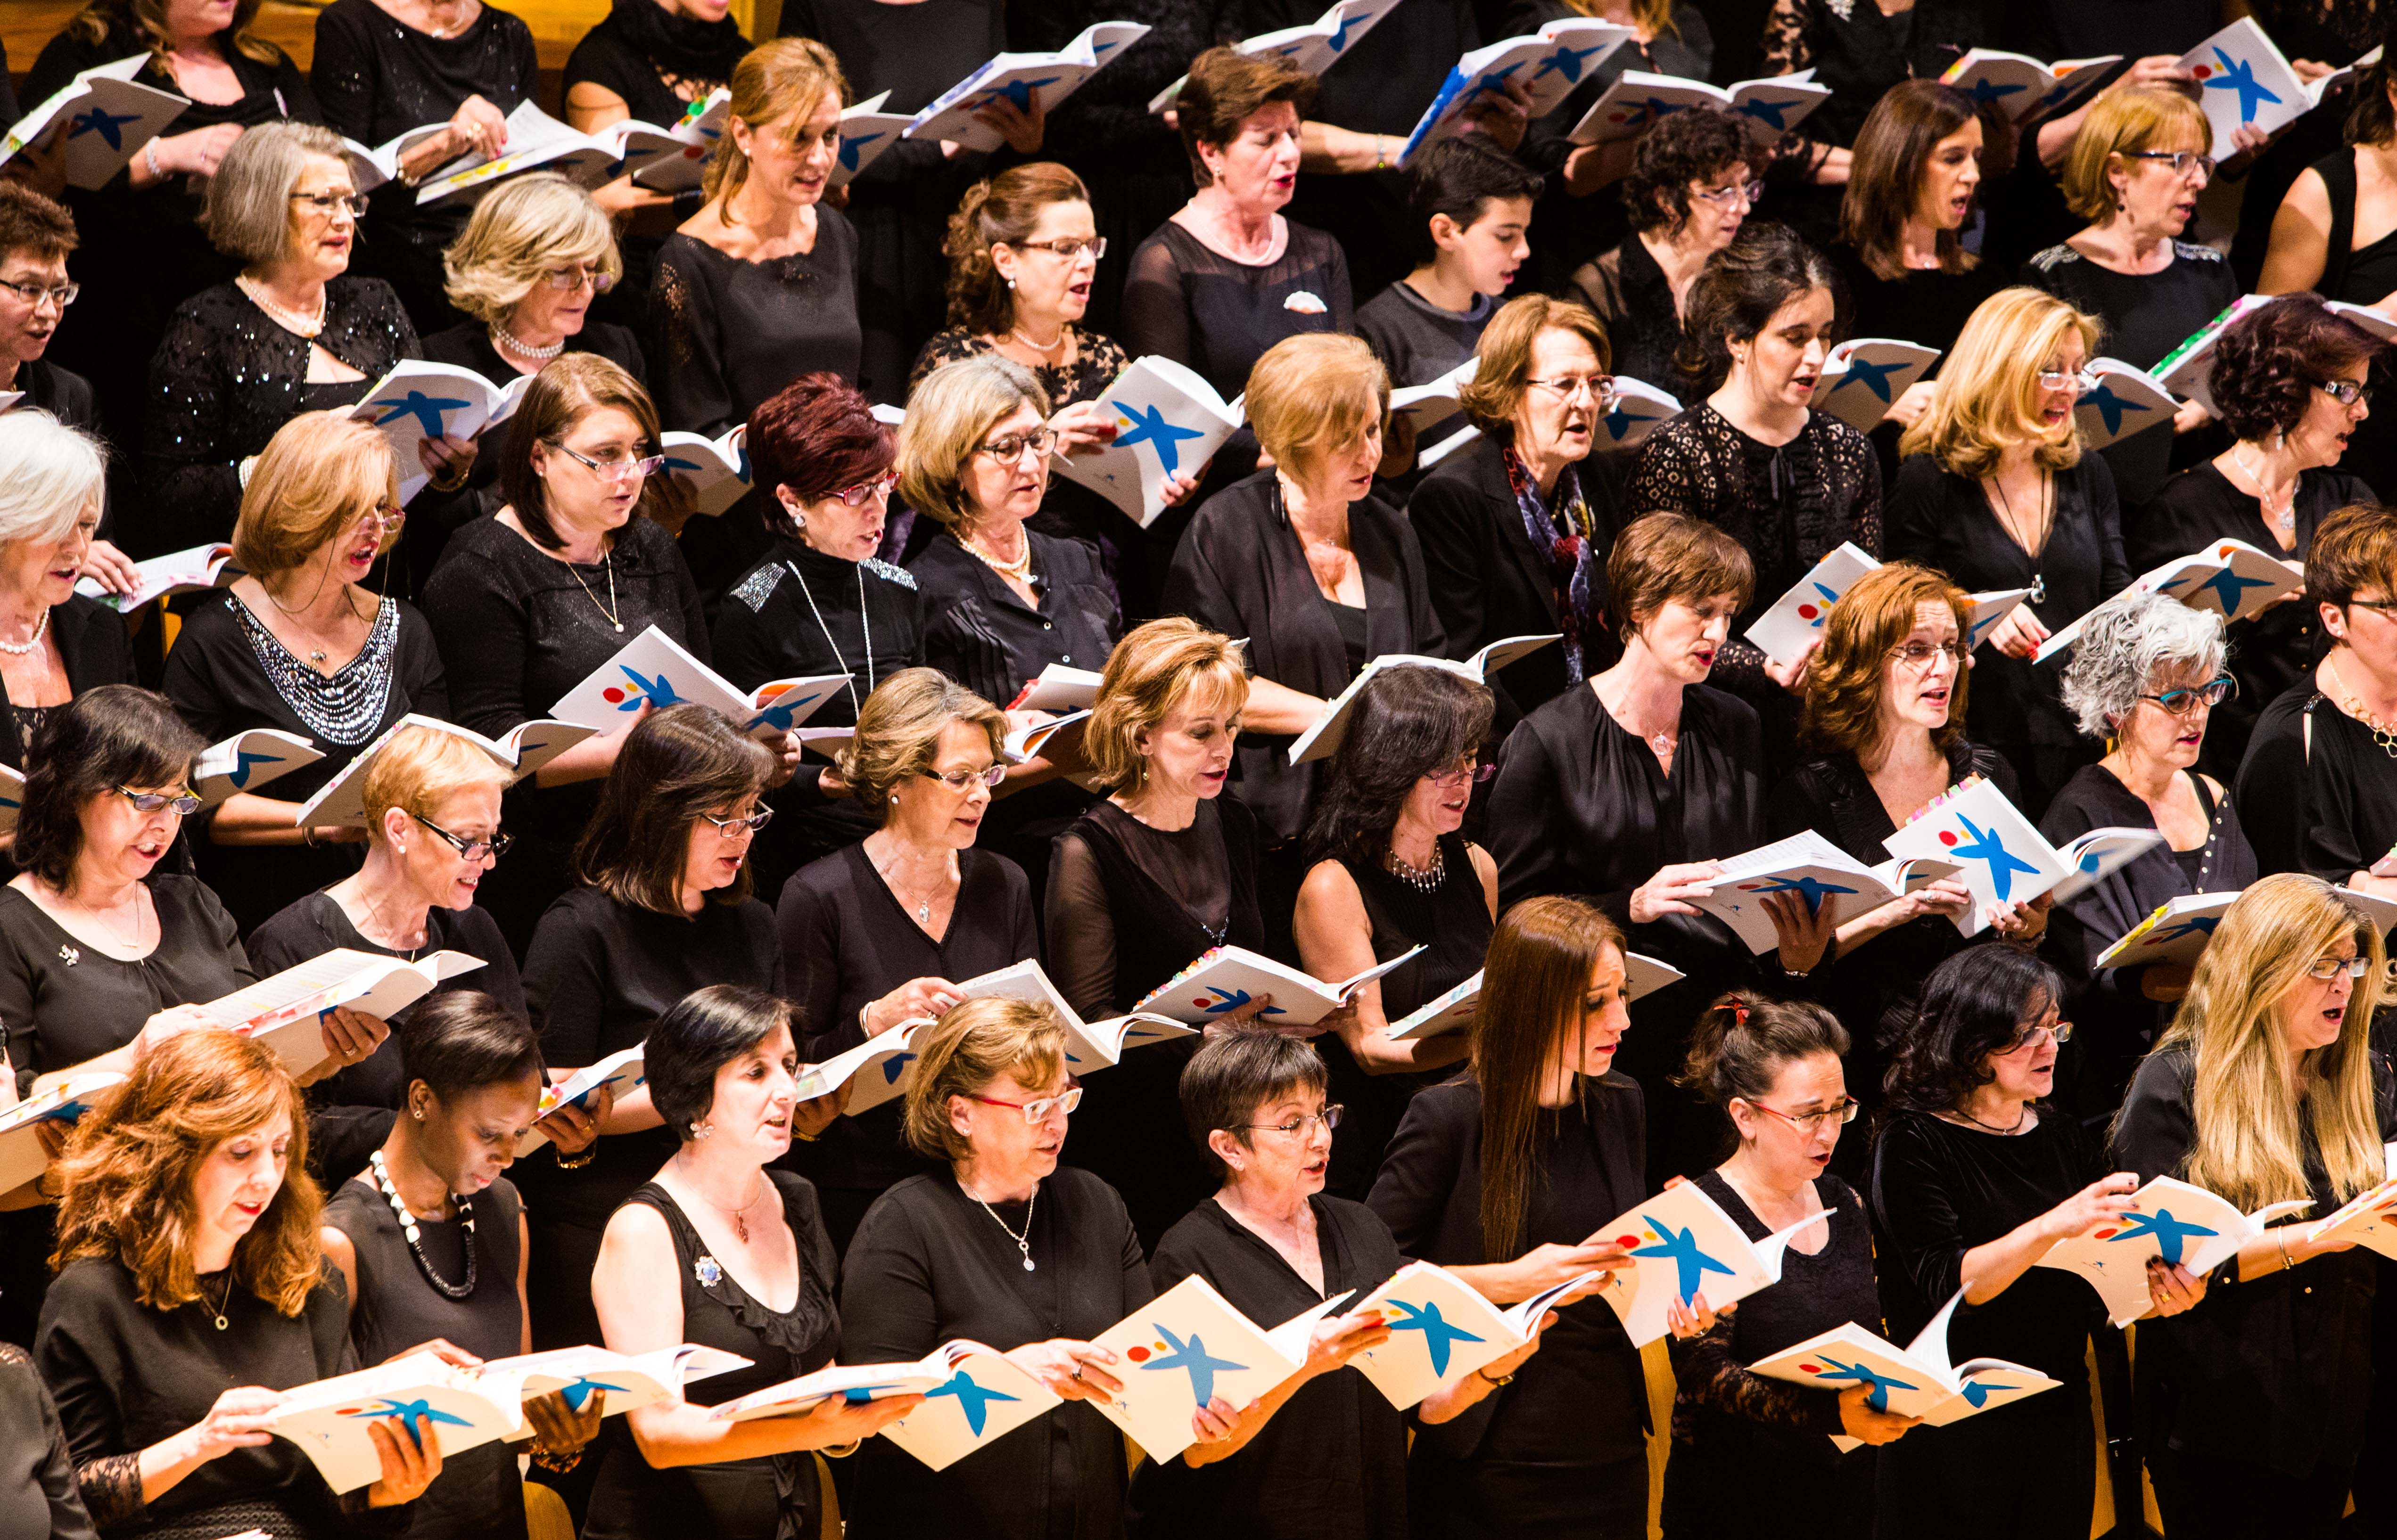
{"x": 1535, "y": 983}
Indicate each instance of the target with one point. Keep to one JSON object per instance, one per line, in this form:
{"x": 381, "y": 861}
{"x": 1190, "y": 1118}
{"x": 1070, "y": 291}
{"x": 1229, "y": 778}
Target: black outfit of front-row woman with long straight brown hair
{"x": 1562, "y": 1450}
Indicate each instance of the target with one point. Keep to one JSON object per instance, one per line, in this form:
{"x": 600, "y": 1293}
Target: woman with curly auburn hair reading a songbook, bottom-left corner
{"x": 188, "y": 1261}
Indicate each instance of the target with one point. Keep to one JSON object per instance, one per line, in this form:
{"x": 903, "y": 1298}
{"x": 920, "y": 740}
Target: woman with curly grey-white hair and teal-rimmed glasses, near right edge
{"x": 2144, "y": 681}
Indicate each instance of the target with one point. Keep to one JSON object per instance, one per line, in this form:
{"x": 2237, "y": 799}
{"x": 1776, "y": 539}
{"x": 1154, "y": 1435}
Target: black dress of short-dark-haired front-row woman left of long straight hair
{"x": 1334, "y": 1462}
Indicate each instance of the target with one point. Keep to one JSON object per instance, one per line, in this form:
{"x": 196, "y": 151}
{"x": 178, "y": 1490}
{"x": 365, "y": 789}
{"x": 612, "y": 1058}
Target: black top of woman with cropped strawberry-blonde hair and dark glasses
{"x": 349, "y": 1112}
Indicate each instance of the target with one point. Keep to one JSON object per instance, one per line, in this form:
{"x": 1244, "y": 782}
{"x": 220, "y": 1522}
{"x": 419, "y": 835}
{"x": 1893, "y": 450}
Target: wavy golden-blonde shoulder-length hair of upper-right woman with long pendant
{"x": 1991, "y": 387}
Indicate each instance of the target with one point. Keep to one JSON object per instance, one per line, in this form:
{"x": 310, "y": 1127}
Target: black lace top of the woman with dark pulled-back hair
{"x": 1789, "y": 504}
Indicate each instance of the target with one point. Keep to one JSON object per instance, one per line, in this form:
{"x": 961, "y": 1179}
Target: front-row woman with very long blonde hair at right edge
{"x": 2264, "y": 1091}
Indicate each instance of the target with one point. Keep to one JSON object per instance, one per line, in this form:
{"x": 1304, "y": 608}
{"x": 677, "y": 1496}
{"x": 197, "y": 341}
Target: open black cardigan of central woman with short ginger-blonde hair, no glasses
{"x": 1240, "y": 571}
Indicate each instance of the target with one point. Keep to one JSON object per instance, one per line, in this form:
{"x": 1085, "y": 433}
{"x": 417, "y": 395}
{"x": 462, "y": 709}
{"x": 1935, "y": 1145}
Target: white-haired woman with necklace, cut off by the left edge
{"x": 54, "y": 643}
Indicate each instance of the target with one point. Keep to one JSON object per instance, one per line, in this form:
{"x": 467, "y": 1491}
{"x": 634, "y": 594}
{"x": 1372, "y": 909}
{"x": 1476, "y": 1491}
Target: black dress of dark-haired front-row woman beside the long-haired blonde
{"x": 1938, "y": 1192}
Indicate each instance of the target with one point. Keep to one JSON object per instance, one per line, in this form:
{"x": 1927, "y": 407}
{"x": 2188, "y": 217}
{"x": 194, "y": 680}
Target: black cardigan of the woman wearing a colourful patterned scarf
{"x": 1490, "y": 581}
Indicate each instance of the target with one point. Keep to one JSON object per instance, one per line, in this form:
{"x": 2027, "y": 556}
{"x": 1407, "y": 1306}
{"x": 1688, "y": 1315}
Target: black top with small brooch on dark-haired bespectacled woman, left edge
{"x": 66, "y": 1002}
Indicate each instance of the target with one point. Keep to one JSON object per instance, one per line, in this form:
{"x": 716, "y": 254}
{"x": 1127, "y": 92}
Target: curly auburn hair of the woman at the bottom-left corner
{"x": 131, "y": 1165}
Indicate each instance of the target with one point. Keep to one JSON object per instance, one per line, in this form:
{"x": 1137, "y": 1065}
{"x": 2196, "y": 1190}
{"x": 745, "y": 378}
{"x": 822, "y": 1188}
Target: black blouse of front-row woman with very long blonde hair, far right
{"x": 2274, "y": 1371}
